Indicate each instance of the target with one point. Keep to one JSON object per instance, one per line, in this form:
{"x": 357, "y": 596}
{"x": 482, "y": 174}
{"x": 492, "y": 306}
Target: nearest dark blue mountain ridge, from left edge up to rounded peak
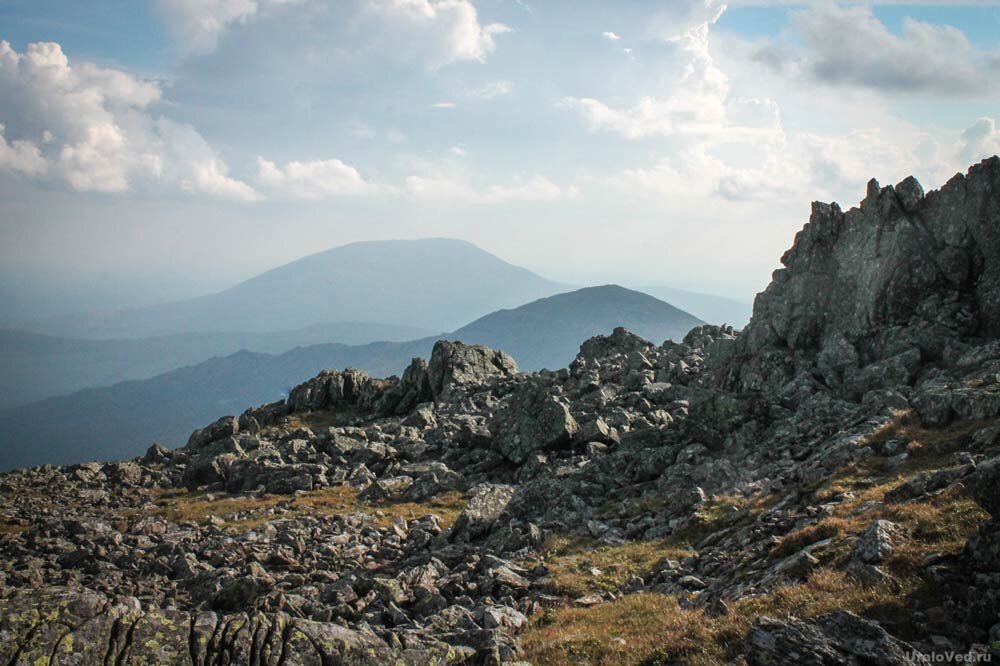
{"x": 122, "y": 420}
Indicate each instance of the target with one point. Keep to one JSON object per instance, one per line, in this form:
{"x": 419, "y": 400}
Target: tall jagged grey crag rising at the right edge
{"x": 905, "y": 279}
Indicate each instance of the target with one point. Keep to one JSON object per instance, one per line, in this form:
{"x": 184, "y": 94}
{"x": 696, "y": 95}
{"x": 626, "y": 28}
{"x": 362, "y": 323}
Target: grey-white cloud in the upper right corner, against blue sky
{"x": 850, "y": 46}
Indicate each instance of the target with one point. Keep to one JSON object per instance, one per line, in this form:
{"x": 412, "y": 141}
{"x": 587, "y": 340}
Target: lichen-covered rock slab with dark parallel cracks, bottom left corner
{"x": 66, "y": 627}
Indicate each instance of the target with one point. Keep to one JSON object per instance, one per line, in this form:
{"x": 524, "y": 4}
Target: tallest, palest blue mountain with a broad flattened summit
{"x": 435, "y": 284}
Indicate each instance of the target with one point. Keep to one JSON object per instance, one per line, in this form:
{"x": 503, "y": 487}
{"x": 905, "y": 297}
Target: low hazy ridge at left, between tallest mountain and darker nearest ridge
{"x": 34, "y": 366}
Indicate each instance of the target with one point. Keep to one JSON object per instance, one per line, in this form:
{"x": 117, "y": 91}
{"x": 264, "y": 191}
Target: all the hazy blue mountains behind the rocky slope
{"x": 105, "y": 384}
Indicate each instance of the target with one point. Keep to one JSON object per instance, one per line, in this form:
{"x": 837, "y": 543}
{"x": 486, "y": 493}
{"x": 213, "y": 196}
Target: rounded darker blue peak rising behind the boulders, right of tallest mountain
{"x": 548, "y": 332}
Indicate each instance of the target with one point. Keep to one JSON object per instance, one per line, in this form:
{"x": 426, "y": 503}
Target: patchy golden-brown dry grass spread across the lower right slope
{"x": 652, "y": 629}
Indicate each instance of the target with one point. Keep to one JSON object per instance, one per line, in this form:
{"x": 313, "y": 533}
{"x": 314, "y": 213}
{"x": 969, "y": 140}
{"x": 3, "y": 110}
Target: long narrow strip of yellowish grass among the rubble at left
{"x": 245, "y": 512}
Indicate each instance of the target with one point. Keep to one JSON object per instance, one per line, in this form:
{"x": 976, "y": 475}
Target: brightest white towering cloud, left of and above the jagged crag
{"x": 724, "y": 147}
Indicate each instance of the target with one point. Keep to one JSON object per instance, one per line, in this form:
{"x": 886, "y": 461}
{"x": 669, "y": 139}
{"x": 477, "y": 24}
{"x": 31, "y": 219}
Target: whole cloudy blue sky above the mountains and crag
{"x": 165, "y": 148}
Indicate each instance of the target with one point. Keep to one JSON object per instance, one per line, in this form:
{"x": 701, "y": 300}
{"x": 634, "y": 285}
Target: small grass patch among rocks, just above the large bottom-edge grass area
{"x": 580, "y": 566}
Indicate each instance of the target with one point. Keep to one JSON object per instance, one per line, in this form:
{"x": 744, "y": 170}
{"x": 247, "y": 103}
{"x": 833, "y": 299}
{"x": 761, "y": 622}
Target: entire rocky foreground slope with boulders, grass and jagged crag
{"x": 834, "y": 465}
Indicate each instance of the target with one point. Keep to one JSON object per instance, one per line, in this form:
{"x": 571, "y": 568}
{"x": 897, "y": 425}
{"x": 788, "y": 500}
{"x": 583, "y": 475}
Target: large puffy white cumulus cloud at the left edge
{"x": 91, "y": 128}
